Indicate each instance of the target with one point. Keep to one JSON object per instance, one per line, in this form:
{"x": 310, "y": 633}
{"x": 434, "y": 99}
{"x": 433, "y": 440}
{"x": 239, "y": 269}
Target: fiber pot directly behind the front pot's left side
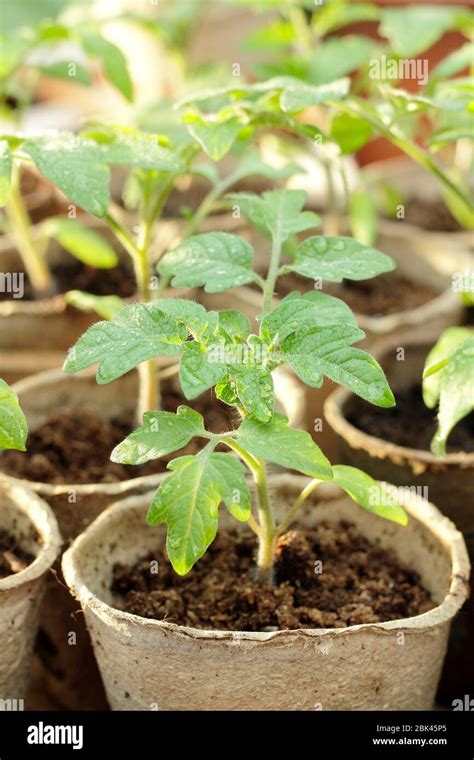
{"x": 69, "y": 672}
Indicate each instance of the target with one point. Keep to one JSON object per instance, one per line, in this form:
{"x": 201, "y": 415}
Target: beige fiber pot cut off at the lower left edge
{"x": 31, "y": 521}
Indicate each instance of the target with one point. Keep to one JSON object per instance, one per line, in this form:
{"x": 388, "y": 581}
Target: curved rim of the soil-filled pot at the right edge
{"x": 334, "y": 411}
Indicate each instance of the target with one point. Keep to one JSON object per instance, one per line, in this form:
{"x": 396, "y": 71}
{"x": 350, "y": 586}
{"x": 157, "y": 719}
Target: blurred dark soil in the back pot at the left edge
{"x": 77, "y": 276}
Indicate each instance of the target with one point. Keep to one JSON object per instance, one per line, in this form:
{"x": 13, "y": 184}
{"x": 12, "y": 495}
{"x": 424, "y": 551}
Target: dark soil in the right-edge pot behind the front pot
{"x": 410, "y": 423}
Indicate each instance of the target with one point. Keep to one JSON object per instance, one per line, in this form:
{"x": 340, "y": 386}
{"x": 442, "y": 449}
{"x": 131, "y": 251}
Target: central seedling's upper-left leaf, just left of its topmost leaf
{"x": 217, "y": 260}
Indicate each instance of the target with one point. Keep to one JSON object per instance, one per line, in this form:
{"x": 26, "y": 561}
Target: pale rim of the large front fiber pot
{"x": 441, "y": 527}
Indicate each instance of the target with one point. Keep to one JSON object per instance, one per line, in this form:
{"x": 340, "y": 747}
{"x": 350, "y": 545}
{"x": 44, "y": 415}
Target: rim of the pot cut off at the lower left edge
{"x": 42, "y": 519}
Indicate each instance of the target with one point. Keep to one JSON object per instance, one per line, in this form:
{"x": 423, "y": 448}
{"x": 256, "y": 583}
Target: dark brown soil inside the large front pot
{"x": 359, "y": 583}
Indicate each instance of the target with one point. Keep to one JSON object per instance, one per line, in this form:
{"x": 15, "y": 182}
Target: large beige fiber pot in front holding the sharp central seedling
{"x": 149, "y": 664}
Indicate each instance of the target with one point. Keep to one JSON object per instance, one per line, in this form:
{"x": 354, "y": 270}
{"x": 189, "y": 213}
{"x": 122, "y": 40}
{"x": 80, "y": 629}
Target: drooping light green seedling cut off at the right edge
{"x": 448, "y": 382}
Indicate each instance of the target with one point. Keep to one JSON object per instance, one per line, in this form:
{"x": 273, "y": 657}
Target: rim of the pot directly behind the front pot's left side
{"x": 144, "y": 482}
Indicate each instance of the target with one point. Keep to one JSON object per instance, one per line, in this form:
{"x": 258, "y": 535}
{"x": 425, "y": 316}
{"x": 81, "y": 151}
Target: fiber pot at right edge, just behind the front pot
{"x": 449, "y": 482}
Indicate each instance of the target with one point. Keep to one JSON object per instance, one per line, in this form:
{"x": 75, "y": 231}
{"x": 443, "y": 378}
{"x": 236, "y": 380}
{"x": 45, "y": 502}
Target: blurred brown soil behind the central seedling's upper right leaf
{"x": 386, "y": 294}
